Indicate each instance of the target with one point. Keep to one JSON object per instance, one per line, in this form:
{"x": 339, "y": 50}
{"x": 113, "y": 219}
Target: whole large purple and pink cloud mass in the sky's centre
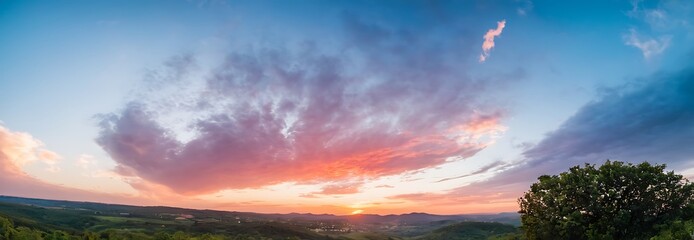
{"x": 393, "y": 101}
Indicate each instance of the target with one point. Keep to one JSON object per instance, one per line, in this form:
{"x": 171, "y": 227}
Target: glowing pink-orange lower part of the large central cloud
{"x": 258, "y": 158}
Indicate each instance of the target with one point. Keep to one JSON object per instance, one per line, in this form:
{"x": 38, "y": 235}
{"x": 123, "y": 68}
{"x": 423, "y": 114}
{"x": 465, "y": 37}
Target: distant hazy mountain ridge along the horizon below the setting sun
{"x": 408, "y": 218}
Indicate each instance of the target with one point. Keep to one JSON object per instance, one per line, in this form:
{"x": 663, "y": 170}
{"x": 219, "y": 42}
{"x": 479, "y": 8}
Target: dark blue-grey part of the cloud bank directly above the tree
{"x": 650, "y": 121}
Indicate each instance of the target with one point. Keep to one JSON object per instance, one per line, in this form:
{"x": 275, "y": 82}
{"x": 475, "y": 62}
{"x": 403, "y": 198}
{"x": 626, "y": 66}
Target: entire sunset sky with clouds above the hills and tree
{"x": 340, "y": 107}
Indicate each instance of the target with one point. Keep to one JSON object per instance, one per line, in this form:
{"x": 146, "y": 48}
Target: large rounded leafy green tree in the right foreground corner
{"x": 615, "y": 201}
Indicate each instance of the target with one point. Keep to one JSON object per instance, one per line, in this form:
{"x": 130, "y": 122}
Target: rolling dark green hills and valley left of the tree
{"x": 143, "y": 222}
